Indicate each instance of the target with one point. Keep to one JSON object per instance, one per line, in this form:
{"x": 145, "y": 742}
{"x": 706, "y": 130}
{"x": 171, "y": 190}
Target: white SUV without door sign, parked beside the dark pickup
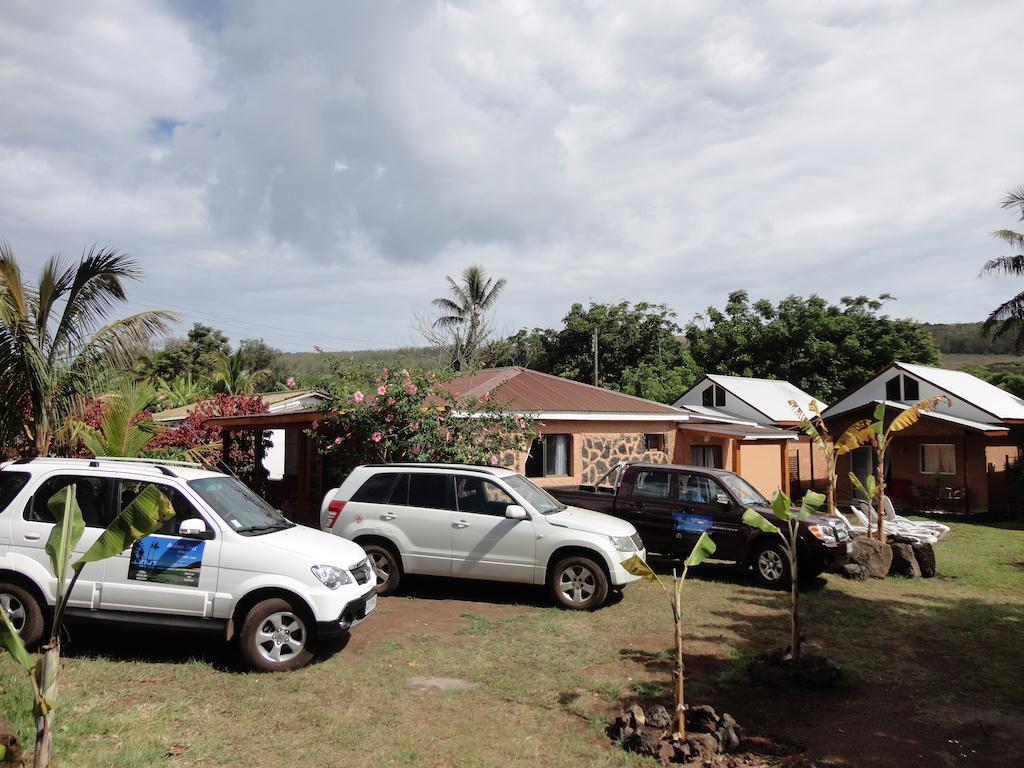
{"x": 480, "y": 523}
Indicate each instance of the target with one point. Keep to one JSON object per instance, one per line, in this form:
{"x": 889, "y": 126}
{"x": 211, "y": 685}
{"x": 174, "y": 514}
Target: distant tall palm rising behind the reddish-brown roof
{"x": 464, "y": 316}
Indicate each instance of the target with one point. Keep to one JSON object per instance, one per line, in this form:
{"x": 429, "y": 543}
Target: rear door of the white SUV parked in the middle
{"x": 419, "y": 517}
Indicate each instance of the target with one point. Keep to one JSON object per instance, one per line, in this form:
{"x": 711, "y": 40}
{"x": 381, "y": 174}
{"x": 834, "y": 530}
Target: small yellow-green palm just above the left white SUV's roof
{"x": 124, "y": 432}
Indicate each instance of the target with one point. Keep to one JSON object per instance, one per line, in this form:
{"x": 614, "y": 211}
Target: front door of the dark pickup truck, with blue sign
{"x": 706, "y": 507}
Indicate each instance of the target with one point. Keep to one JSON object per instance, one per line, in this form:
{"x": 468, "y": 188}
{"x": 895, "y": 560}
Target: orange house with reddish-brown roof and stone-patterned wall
{"x": 585, "y": 431}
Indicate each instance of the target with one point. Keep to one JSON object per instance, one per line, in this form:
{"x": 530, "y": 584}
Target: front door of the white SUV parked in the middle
{"x": 485, "y": 543}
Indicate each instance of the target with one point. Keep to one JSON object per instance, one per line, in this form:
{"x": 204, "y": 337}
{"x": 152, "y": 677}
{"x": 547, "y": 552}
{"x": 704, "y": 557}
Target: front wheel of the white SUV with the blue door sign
{"x": 276, "y": 636}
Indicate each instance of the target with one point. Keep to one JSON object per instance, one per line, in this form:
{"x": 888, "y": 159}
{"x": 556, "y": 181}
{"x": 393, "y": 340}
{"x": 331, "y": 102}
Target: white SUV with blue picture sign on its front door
{"x": 227, "y": 562}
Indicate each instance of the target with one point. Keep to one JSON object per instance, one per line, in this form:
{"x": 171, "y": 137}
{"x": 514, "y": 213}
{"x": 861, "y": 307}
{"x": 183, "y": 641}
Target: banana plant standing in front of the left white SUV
{"x": 144, "y": 517}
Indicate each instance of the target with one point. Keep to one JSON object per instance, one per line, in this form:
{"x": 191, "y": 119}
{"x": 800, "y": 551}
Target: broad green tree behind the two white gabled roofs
{"x": 821, "y": 348}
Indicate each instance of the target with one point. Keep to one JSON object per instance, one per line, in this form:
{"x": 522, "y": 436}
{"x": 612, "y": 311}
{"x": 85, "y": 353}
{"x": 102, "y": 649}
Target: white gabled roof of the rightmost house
{"x": 960, "y": 386}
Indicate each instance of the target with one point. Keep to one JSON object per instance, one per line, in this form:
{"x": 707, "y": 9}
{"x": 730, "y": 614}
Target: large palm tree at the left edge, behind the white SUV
{"x": 57, "y": 337}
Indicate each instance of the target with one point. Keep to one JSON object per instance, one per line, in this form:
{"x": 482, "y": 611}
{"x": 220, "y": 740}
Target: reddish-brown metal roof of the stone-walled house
{"x": 554, "y": 398}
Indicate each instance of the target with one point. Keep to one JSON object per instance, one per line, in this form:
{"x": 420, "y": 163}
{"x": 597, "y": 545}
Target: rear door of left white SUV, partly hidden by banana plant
{"x": 30, "y": 534}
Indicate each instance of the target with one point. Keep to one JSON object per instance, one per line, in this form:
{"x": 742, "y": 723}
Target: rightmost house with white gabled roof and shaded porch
{"x": 958, "y": 458}
